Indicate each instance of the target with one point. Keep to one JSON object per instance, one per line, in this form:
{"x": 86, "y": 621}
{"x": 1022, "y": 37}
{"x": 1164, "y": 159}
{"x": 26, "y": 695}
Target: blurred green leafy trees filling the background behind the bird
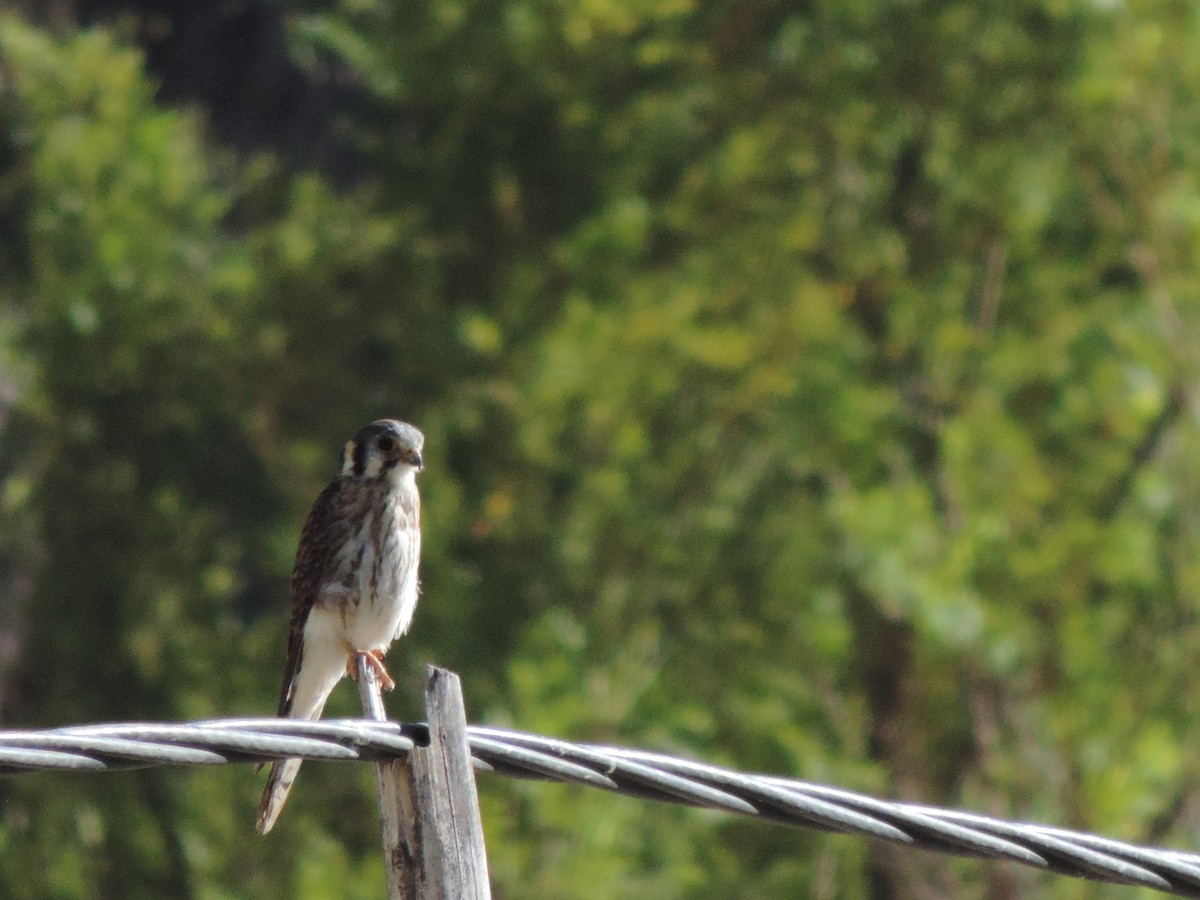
{"x": 809, "y": 388}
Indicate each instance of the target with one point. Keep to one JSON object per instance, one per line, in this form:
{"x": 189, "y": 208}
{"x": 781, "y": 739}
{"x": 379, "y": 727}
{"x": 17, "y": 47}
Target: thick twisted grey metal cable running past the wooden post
{"x": 639, "y": 773}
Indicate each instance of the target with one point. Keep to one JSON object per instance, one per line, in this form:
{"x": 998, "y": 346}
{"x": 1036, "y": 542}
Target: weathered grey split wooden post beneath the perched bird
{"x": 433, "y": 832}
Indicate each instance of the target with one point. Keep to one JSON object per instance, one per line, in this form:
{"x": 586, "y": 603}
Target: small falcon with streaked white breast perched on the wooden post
{"x": 355, "y": 585}
